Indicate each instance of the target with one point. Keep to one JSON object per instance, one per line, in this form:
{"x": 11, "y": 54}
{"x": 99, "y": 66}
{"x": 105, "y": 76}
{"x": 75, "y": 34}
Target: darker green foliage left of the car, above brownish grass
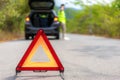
{"x": 12, "y": 14}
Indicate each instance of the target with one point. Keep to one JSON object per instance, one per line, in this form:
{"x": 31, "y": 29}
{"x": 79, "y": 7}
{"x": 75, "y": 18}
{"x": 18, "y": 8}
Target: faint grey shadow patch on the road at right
{"x": 103, "y": 52}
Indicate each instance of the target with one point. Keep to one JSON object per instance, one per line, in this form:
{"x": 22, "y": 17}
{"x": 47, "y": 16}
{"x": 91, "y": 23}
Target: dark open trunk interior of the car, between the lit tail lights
{"x": 42, "y": 19}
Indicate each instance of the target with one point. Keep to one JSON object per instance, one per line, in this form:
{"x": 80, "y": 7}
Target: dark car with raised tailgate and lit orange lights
{"x": 42, "y": 16}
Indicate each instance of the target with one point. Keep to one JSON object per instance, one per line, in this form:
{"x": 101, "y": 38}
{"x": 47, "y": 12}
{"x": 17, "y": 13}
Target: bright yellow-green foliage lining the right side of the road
{"x": 97, "y": 19}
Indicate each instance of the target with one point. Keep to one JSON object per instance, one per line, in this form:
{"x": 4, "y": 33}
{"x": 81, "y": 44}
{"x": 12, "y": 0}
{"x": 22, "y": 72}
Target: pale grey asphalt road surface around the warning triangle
{"x": 84, "y": 58}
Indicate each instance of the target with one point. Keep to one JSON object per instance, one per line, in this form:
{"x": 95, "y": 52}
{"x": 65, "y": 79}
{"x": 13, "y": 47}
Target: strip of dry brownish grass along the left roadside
{"x": 7, "y": 36}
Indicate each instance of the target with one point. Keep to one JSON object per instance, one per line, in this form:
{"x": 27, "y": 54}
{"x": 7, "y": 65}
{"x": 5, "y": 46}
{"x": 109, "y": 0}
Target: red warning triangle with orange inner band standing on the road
{"x": 54, "y": 63}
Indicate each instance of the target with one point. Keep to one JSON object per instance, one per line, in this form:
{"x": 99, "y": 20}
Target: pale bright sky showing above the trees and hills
{"x": 87, "y": 2}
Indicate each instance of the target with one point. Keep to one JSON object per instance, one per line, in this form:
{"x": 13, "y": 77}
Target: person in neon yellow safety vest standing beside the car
{"x": 62, "y": 20}
